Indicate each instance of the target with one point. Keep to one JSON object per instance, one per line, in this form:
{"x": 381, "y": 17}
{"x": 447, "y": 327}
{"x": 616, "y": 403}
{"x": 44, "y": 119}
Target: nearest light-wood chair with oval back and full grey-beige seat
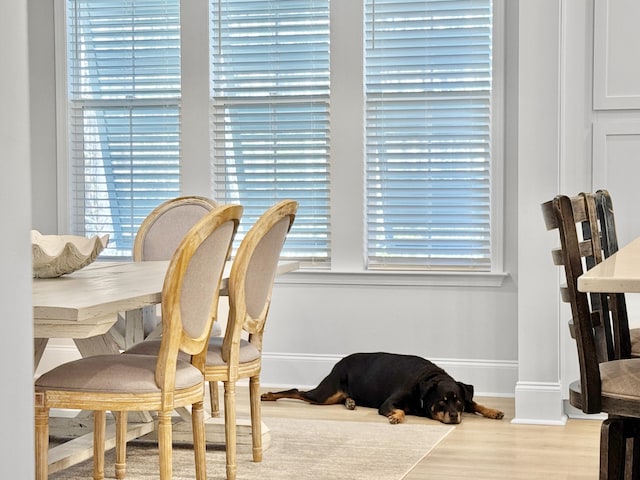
{"x": 122, "y": 383}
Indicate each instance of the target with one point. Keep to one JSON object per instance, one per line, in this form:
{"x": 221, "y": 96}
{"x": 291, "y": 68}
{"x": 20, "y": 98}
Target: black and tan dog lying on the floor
{"x": 394, "y": 384}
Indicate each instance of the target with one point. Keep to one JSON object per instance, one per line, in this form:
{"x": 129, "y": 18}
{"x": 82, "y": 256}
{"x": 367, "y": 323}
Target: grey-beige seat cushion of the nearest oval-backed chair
{"x": 114, "y": 373}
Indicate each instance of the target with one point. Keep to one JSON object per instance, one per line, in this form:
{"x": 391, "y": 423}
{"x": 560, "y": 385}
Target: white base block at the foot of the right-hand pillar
{"x": 539, "y": 403}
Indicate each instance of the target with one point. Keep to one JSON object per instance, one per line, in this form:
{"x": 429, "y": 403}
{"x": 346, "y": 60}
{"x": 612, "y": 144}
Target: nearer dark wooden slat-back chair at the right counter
{"x": 607, "y": 384}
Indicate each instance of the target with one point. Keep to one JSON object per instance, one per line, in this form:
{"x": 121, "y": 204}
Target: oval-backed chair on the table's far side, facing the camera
{"x": 157, "y": 238}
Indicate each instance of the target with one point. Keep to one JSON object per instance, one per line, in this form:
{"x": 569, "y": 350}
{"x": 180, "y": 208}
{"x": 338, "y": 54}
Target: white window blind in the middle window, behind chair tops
{"x": 270, "y": 96}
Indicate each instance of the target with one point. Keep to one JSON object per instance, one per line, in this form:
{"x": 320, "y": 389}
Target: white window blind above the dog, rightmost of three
{"x": 428, "y": 142}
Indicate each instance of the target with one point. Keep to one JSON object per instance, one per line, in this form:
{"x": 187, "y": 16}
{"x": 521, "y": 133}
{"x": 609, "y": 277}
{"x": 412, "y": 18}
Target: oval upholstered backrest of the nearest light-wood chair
{"x": 191, "y": 288}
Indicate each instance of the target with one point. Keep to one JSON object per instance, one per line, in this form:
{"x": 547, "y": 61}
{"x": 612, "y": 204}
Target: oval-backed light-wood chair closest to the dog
{"x": 238, "y": 354}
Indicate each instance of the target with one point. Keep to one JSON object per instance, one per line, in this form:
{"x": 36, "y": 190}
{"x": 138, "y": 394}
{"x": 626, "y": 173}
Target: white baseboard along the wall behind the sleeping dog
{"x": 490, "y": 378}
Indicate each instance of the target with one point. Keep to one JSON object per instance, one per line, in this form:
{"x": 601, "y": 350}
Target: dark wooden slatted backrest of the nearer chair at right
{"x": 592, "y": 321}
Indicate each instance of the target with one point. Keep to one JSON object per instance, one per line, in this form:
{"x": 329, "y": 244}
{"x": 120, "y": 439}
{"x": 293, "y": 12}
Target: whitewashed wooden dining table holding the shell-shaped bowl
{"x": 84, "y": 306}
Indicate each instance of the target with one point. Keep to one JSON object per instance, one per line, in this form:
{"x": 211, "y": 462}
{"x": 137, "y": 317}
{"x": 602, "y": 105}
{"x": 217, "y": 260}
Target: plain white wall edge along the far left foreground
{"x": 16, "y": 341}
